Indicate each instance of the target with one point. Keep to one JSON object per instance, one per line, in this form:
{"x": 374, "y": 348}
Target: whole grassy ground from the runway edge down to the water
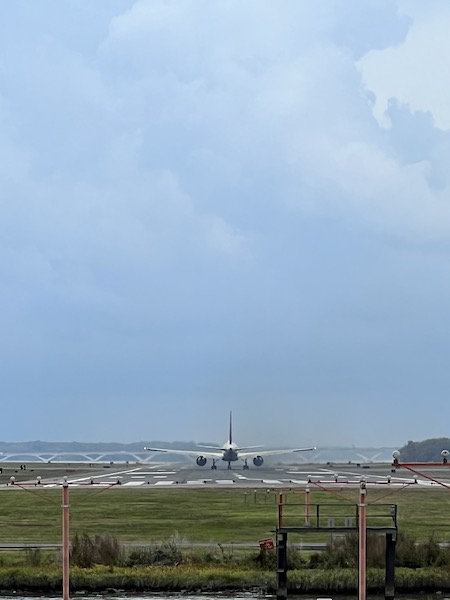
{"x": 171, "y": 519}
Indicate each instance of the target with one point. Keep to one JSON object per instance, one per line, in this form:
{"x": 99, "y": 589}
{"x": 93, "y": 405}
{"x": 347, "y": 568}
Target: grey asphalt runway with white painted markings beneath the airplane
{"x": 167, "y": 474}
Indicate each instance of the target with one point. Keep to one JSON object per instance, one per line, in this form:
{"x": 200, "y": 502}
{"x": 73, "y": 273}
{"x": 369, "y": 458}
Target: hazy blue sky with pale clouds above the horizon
{"x": 221, "y": 205}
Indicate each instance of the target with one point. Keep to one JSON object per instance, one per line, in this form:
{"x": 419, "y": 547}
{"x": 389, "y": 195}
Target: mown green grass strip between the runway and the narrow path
{"x": 214, "y": 516}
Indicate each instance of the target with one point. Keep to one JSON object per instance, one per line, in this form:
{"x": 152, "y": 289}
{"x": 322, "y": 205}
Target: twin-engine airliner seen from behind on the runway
{"x": 229, "y": 452}
